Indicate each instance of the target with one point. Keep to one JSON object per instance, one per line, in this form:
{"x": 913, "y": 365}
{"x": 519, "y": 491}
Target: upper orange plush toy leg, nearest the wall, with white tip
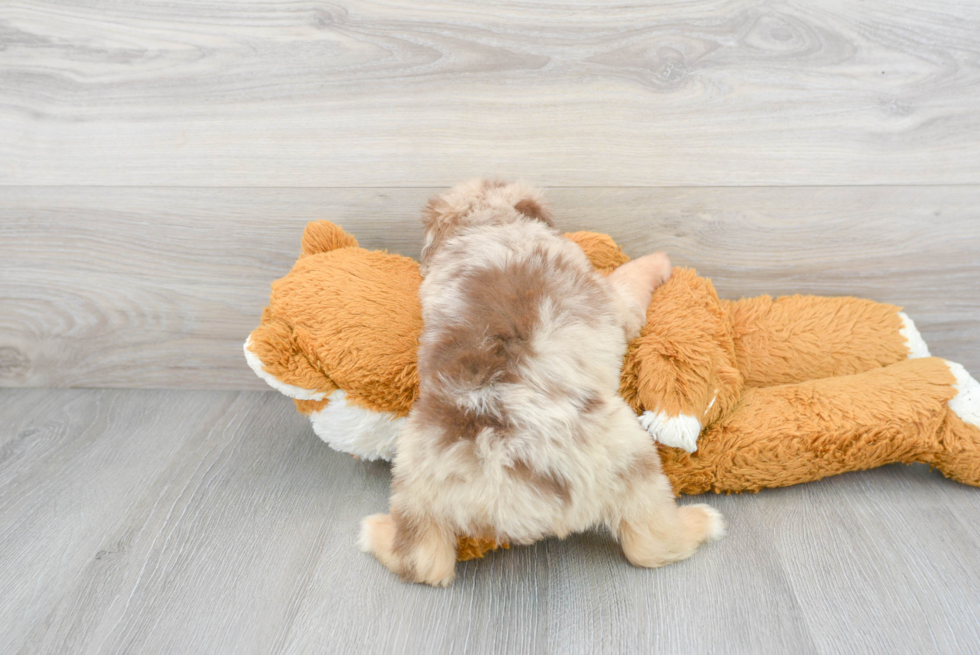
{"x": 798, "y": 338}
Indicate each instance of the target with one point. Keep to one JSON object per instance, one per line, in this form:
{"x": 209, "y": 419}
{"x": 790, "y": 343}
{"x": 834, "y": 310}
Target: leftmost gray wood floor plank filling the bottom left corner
{"x": 71, "y": 466}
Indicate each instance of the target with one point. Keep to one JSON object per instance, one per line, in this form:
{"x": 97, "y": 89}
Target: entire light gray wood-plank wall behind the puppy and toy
{"x": 158, "y": 160}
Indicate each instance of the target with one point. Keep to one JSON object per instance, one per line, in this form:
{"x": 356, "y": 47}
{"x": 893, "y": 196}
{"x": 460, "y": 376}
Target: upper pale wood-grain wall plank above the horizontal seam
{"x": 399, "y": 93}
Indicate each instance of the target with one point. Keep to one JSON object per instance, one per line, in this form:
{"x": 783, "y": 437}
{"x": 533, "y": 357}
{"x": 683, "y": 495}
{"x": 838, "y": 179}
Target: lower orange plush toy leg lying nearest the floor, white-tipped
{"x": 920, "y": 410}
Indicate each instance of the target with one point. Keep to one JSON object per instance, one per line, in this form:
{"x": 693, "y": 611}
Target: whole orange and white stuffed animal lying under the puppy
{"x": 741, "y": 395}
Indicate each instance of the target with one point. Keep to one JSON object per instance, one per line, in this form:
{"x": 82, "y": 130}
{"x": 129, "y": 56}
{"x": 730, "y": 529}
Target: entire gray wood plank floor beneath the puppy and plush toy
{"x": 179, "y": 521}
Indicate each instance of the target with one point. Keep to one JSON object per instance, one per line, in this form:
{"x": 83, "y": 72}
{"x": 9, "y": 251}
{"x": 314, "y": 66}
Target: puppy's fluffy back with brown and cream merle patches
{"x": 521, "y": 338}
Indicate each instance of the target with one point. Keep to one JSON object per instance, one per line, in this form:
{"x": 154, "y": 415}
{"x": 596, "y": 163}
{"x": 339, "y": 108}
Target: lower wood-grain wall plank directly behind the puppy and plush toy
{"x": 125, "y": 287}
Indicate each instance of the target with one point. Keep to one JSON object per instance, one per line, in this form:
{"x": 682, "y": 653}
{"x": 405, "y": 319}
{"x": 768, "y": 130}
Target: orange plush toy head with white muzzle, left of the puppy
{"x": 339, "y": 336}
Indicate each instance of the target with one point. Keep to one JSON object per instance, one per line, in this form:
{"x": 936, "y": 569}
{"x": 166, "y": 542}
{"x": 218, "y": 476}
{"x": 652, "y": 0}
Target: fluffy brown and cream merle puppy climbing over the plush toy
{"x": 519, "y": 432}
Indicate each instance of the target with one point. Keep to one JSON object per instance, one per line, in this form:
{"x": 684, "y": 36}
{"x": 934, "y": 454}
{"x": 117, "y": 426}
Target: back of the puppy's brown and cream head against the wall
{"x": 478, "y": 202}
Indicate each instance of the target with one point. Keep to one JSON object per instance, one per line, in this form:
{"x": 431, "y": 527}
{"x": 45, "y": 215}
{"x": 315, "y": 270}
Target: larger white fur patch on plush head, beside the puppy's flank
{"x": 351, "y": 429}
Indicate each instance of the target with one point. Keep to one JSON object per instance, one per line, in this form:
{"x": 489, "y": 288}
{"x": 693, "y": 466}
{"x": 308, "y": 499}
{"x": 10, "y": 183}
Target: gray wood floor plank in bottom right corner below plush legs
{"x": 841, "y": 555}
